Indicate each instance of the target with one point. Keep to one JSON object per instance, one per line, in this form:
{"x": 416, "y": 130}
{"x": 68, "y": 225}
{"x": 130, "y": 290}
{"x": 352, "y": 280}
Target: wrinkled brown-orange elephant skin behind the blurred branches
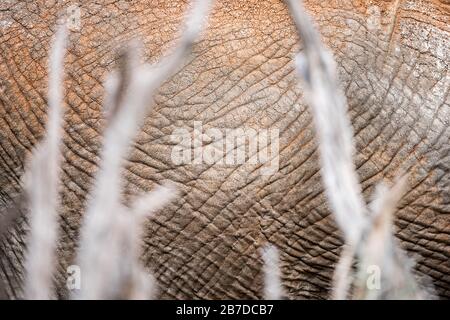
{"x": 393, "y": 60}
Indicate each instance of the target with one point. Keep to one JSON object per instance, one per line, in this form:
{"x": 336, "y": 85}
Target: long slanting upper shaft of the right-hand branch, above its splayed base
{"x": 328, "y": 104}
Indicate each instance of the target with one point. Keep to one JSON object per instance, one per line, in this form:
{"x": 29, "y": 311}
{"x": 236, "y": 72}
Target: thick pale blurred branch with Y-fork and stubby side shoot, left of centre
{"x": 109, "y": 246}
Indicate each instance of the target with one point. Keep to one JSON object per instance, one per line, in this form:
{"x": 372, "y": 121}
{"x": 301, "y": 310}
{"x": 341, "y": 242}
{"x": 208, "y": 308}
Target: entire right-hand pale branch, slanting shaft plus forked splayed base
{"x": 367, "y": 233}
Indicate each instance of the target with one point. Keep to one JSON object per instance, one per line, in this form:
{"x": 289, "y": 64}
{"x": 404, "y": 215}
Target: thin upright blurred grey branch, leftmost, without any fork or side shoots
{"x": 41, "y": 184}
